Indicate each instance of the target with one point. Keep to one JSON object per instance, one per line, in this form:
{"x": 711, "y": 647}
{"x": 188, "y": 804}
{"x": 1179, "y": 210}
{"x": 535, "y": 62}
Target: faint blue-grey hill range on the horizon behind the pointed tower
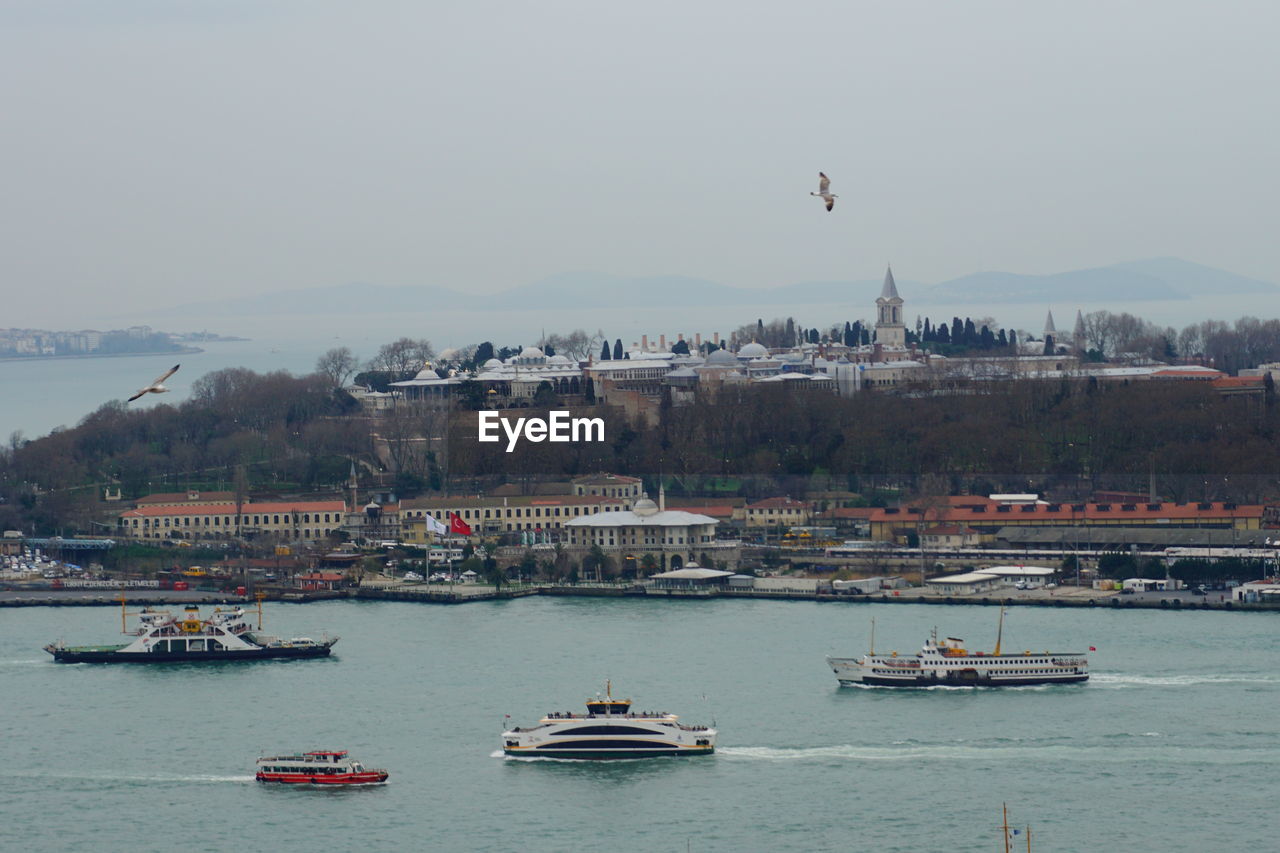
{"x": 1162, "y": 279}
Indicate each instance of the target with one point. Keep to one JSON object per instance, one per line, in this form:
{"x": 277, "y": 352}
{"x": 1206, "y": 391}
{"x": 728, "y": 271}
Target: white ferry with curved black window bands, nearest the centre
{"x": 610, "y": 729}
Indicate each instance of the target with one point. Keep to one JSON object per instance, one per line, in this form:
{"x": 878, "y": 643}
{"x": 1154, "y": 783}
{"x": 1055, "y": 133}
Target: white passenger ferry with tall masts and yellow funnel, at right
{"x": 949, "y": 663}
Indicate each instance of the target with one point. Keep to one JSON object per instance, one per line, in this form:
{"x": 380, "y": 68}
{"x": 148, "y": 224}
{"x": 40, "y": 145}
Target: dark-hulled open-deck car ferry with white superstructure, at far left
{"x": 164, "y": 637}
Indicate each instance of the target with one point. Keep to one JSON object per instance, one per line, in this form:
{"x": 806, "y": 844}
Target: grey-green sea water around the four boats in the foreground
{"x": 1172, "y": 746}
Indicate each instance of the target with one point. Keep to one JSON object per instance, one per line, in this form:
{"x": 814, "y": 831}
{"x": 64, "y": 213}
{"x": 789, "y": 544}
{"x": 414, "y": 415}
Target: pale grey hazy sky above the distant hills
{"x": 170, "y": 152}
